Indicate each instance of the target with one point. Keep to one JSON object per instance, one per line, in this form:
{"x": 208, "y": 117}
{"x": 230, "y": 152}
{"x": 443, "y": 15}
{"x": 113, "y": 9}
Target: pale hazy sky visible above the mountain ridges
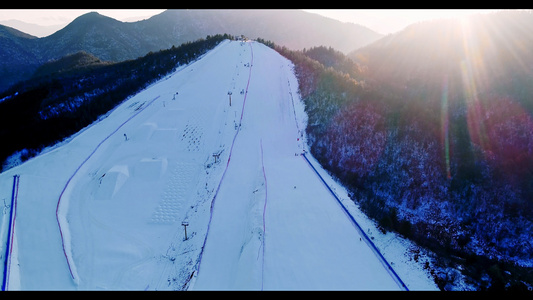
{"x": 383, "y": 21}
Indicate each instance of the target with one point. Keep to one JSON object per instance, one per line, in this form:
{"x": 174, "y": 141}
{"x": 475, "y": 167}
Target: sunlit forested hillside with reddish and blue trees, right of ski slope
{"x": 431, "y": 130}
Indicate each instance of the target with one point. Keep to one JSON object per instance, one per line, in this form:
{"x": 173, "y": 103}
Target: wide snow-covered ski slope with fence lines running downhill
{"x": 106, "y": 211}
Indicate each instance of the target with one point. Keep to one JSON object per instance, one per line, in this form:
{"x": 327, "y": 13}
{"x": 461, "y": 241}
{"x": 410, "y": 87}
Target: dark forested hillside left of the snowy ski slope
{"x": 72, "y": 92}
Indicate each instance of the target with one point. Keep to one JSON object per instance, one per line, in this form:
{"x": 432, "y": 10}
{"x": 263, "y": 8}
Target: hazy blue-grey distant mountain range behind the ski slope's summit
{"x": 111, "y": 40}
